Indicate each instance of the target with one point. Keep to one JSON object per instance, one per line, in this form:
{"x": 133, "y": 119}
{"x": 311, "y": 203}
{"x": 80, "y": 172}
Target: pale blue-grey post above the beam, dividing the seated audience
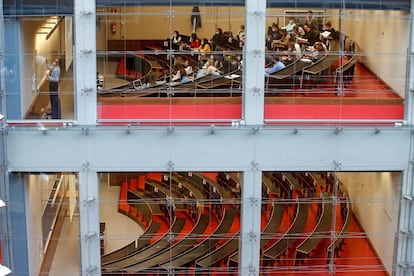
{"x": 254, "y": 56}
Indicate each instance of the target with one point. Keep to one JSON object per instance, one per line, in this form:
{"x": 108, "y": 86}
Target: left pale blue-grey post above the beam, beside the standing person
{"x": 85, "y": 61}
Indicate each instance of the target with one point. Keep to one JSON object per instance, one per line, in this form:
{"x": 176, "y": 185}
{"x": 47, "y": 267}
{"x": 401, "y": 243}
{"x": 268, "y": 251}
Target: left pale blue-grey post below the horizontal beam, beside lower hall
{"x": 89, "y": 223}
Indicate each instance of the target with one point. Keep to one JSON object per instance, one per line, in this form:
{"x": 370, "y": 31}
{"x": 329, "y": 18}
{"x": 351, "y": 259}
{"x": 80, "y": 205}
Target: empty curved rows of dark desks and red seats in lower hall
{"x": 213, "y": 238}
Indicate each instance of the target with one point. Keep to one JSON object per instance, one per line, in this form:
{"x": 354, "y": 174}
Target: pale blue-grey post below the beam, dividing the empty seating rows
{"x": 249, "y": 244}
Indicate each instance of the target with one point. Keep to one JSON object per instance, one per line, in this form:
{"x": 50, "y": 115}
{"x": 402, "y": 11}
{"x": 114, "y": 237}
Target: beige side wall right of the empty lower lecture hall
{"x": 375, "y": 202}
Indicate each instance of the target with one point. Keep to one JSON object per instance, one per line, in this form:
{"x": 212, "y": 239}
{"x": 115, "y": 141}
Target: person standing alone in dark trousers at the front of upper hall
{"x": 53, "y": 77}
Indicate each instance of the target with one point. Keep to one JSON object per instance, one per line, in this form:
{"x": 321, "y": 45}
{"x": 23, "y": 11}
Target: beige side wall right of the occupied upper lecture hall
{"x": 385, "y": 36}
